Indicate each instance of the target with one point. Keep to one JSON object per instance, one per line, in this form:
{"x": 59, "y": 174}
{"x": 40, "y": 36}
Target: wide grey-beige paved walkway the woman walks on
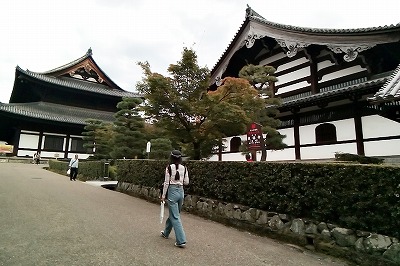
{"x": 46, "y": 219}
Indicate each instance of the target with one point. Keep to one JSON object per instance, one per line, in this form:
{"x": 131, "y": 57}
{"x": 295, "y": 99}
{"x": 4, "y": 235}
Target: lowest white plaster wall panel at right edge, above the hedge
{"x": 382, "y": 148}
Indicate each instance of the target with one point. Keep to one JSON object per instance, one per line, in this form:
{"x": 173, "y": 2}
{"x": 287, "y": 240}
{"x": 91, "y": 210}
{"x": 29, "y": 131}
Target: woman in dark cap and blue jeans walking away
{"x": 176, "y": 175}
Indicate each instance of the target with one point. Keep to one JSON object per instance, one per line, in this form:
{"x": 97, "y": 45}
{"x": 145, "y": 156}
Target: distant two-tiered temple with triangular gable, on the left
{"x": 47, "y": 111}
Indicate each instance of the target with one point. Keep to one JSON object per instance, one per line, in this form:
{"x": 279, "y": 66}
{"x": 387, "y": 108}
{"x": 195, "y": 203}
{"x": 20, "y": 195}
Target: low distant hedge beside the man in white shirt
{"x": 88, "y": 170}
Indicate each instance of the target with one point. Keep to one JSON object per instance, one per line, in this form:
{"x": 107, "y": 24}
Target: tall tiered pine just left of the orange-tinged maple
{"x": 129, "y": 140}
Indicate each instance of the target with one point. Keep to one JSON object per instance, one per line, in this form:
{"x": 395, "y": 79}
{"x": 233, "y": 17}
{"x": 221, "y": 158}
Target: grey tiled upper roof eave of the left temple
{"x": 78, "y": 84}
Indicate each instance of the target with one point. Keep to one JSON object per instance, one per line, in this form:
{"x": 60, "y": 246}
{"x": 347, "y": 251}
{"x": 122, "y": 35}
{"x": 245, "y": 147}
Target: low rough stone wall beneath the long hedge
{"x": 363, "y": 248}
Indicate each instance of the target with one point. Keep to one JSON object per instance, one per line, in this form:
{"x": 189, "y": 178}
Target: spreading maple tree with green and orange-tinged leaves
{"x": 191, "y": 117}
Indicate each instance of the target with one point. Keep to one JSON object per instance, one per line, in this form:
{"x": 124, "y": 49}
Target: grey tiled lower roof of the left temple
{"x": 56, "y": 112}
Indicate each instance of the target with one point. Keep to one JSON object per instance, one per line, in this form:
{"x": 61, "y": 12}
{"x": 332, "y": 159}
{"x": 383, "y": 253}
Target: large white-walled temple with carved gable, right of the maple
{"x": 339, "y": 87}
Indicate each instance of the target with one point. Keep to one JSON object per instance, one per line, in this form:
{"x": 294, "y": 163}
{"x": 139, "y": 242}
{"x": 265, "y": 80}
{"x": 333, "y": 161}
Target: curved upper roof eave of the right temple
{"x": 256, "y": 25}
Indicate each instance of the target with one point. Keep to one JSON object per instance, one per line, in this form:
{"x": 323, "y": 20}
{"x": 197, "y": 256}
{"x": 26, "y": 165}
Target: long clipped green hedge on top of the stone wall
{"x": 360, "y": 197}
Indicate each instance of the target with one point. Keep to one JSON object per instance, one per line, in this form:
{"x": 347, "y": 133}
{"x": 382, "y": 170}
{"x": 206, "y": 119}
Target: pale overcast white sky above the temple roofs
{"x": 40, "y": 35}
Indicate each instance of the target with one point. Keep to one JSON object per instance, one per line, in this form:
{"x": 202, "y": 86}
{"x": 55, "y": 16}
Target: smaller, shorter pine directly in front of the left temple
{"x": 97, "y": 135}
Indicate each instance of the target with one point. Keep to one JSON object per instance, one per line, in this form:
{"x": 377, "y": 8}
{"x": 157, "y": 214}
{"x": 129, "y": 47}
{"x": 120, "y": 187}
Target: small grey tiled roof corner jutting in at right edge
{"x": 390, "y": 91}
